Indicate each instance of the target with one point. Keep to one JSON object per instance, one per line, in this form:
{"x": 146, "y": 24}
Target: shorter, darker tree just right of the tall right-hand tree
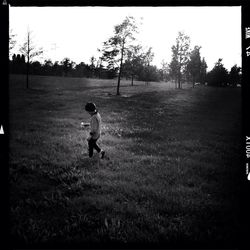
{"x": 194, "y": 64}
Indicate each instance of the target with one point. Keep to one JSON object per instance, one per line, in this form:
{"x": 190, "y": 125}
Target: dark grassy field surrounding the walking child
{"x": 170, "y": 177}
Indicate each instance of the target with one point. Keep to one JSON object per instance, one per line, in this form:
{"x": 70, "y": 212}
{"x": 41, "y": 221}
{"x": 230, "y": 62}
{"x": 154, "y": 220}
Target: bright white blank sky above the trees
{"x": 77, "y": 32}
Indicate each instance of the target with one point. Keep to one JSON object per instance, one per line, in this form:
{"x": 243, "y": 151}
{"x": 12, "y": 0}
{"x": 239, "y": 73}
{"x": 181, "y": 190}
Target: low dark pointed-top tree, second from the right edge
{"x": 218, "y": 76}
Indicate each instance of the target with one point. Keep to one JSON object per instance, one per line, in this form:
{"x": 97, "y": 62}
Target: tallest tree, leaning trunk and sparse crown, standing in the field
{"x": 116, "y": 47}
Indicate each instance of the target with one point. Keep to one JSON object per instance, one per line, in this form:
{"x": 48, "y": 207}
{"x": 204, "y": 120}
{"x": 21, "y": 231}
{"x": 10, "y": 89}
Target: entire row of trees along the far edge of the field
{"x": 122, "y": 57}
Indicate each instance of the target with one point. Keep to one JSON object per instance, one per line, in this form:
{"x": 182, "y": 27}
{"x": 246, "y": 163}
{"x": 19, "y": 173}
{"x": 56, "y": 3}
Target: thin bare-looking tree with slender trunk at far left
{"x": 29, "y": 50}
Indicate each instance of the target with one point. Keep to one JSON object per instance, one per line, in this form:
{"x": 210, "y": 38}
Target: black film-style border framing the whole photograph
{"x": 4, "y": 107}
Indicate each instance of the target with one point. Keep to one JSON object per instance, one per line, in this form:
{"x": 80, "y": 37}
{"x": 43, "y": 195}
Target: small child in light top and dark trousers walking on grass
{"x": 95, "y": 129}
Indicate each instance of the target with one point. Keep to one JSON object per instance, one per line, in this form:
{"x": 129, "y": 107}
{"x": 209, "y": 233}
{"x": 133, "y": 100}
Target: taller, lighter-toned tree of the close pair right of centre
{"x": 180, "y": 56}
